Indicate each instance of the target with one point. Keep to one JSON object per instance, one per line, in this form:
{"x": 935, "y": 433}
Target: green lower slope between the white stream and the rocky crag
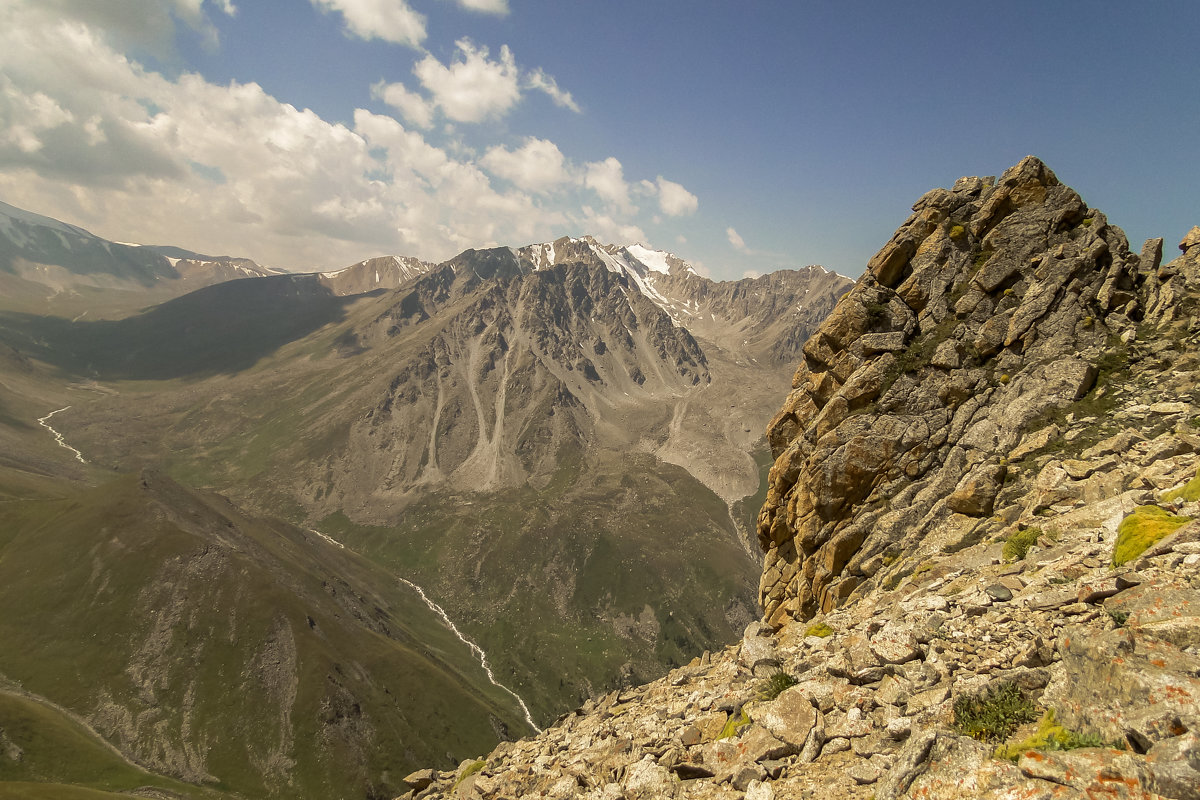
{"x": 567, "y": 587}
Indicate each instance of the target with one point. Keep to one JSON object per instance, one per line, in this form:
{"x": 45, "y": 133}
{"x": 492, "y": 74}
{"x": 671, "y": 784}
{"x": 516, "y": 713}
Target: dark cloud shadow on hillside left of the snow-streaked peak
{"x": 221, "y": 329}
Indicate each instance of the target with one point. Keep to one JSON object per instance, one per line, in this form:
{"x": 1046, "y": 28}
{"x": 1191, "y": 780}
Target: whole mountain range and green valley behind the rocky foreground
{"x": 561, "y": 446}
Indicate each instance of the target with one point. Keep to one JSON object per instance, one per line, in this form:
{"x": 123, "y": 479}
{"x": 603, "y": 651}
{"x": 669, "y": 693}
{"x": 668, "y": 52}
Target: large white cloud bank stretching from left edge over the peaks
{"x": 91, "y": 136}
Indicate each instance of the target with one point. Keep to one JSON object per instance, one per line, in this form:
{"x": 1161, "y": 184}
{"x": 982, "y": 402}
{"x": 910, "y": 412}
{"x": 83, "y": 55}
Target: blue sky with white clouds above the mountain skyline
{"x": 742, "y": 136}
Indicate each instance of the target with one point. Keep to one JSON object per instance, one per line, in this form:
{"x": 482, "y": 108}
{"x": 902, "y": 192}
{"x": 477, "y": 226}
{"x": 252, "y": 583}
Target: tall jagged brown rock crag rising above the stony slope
{"x": 992, "y": 306}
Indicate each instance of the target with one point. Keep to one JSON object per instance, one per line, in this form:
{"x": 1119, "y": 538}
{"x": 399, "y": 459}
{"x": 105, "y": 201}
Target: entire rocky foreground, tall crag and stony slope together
{"x": 1041, "y": 636}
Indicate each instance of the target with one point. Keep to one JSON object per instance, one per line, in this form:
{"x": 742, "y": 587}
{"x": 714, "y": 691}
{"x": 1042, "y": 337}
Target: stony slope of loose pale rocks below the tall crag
{"x": 1113, "y": 651}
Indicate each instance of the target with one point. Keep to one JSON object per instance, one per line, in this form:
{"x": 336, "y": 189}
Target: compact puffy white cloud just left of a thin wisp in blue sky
{"x": 473, "y": 88}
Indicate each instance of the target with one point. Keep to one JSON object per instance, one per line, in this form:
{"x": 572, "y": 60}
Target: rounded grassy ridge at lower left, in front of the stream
{"x": 231, "y": 652}
